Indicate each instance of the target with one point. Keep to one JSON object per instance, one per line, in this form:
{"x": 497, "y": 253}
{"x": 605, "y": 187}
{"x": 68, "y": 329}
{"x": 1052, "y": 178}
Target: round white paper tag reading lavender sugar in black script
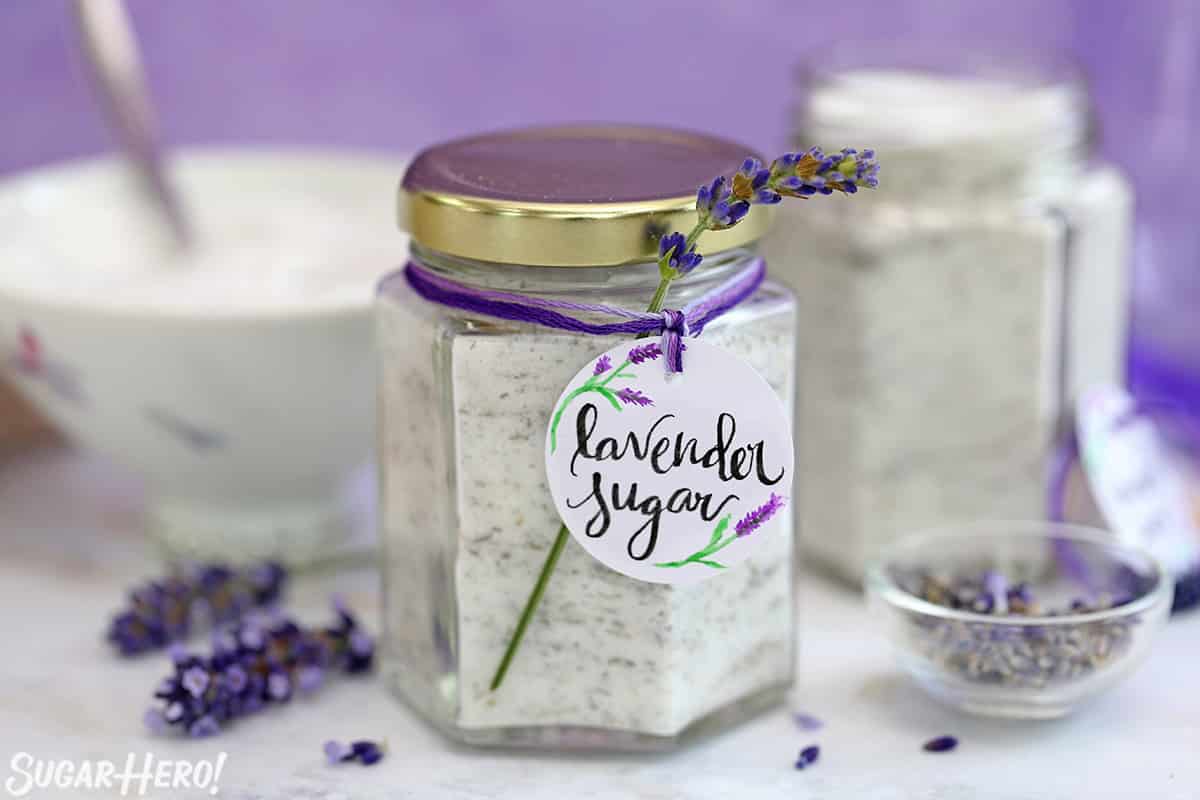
{"x": 670, "y": 478}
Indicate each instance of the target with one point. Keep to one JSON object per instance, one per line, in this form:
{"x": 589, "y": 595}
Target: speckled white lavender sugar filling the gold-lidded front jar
{"x": 604, "y": 651}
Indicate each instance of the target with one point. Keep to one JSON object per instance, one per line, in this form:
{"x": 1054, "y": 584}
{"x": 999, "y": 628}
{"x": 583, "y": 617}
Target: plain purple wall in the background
{"x": 393, "y": 75}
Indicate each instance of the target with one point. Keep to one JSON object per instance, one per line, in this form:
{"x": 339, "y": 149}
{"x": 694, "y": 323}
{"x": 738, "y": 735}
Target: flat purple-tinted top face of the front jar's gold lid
{"x": 579, "y": 164}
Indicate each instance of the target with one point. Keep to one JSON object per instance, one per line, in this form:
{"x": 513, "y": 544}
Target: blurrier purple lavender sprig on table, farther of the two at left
{"x": 169, "y": 610}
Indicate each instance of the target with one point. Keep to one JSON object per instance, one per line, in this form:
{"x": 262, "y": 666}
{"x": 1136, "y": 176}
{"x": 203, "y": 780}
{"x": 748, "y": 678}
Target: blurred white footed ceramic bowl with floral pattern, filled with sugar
{"x": 244, "y": 405}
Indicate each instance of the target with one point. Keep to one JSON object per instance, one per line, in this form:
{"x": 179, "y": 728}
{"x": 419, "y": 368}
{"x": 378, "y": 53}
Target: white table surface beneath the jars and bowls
{"x": 71, "y": 545}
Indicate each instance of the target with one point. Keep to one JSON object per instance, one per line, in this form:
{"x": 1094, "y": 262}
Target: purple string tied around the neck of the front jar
{"x": 671, "y": 324}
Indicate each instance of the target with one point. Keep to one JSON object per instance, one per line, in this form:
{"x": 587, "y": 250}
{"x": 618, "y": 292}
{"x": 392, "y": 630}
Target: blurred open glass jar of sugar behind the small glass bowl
{"x": 967, "y": 302}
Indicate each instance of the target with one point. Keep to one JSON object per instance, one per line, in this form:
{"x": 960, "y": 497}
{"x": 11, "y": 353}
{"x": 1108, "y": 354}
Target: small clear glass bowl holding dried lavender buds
{"x": 1019, "y": 666}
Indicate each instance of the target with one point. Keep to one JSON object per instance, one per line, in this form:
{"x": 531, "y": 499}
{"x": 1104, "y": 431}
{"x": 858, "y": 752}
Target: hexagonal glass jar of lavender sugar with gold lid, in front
{"x": 557, "y": 215}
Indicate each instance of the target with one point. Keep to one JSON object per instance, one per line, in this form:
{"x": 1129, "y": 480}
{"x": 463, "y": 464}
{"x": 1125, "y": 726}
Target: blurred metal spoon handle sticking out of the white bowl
{"x": 112, "y": 55}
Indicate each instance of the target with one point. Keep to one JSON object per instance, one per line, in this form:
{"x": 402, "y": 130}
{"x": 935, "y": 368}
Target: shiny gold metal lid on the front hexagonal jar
{"x": 568, "y": 196}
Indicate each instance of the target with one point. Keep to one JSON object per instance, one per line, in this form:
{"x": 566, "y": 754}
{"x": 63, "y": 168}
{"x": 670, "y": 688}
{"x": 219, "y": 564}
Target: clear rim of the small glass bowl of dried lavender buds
{"x": 880, "y": 584}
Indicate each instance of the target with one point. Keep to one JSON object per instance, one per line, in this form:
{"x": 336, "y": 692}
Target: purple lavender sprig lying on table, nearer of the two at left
{"x": 254, "y": 666}
